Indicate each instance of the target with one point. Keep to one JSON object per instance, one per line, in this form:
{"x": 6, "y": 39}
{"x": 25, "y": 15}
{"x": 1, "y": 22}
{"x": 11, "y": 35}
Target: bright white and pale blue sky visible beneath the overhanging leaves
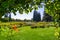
{"x": 29, "y": 15}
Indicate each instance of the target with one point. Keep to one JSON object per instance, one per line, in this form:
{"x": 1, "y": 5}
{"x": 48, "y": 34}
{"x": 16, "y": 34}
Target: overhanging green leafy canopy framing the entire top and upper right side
{"x": 51, "y": 7}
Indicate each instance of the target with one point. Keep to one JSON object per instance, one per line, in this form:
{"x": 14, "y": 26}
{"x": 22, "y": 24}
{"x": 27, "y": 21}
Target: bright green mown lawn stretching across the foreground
{"x": 26, "y": 33}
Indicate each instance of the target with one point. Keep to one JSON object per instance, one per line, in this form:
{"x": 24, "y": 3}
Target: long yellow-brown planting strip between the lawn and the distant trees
{"x": 32, "y": 24}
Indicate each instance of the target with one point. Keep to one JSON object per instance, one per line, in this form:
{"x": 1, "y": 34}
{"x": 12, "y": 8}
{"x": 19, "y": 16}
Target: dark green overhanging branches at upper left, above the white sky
{"x": 14, "y": 5}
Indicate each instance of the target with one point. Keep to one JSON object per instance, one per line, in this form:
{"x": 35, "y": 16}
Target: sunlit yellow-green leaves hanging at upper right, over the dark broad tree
{"x": 53, "y": 8}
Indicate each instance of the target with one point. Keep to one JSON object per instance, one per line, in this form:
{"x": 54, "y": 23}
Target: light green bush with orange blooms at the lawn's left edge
{"x": 7, "y": 32}
